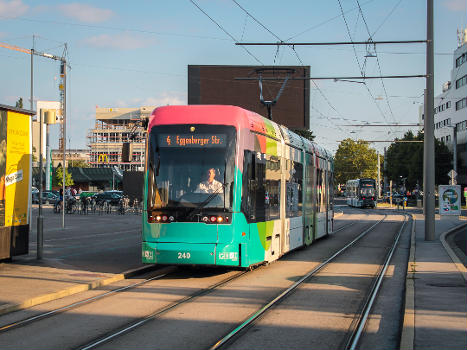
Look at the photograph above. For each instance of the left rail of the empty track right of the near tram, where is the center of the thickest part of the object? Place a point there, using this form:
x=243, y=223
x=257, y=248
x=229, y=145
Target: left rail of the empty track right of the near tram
x=281, y=296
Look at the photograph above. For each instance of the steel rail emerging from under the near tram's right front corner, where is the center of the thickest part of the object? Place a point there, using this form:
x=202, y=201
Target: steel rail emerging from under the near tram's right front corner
x=150, y=317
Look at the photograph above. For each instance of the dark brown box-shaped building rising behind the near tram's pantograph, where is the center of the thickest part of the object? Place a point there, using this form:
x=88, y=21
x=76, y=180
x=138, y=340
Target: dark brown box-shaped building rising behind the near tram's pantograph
x=221, y=85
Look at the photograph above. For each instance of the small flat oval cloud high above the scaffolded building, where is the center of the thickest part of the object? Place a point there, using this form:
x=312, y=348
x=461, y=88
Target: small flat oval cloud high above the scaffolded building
x=122, y=41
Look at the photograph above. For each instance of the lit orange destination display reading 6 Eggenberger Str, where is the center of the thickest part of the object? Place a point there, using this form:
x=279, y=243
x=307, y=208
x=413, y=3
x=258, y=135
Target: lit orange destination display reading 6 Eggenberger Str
x=192, y=140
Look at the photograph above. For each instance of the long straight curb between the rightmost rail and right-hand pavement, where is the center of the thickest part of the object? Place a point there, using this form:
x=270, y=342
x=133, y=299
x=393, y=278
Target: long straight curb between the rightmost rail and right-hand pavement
x=408, y=327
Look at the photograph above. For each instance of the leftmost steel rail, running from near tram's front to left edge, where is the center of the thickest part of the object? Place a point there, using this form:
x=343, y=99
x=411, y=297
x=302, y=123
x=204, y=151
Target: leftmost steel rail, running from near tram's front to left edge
x=41, y=316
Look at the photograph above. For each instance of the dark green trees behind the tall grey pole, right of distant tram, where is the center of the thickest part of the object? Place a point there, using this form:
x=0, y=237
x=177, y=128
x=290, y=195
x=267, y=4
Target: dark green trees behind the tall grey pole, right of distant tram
x=405, y=159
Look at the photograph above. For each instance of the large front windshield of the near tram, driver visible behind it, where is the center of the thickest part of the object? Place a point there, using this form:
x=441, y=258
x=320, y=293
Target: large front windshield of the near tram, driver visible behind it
x=191, y=166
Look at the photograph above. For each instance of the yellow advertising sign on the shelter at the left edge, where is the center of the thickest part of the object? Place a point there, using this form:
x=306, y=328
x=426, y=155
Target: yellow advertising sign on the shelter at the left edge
x=17, y=169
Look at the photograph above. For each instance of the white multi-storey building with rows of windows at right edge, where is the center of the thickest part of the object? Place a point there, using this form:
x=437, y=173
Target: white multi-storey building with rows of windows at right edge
x=450, y=114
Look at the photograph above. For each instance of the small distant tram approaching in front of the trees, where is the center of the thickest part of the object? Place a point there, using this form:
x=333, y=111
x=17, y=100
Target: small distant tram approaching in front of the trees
x=361, y=193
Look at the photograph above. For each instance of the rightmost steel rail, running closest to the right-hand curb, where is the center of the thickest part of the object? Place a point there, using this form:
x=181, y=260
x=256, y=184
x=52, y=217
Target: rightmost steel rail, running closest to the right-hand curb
x=357, y=333
